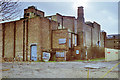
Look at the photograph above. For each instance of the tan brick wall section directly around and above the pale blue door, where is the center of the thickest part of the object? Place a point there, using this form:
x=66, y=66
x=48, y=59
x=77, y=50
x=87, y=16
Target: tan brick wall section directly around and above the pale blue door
x=34, y=34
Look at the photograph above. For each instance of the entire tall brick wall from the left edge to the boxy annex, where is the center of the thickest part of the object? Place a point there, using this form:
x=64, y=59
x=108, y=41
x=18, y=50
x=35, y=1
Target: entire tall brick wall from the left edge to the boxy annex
x=39, y=32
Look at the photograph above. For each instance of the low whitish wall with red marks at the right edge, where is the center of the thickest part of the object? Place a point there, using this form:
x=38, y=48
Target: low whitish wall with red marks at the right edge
x=112, y=54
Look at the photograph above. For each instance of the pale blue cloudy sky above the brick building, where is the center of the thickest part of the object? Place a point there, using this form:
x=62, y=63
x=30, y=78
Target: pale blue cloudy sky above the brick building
x=104, y=13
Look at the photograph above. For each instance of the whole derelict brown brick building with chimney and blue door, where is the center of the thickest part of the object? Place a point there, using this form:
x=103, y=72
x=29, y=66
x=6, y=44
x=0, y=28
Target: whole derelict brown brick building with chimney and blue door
x=61, y=36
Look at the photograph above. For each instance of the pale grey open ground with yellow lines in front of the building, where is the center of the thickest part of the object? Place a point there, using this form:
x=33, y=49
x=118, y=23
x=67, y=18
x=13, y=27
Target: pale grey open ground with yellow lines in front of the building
x=59, y=69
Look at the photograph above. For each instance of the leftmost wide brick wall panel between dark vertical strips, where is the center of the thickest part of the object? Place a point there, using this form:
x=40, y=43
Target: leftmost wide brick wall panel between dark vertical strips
x=9, y=40
